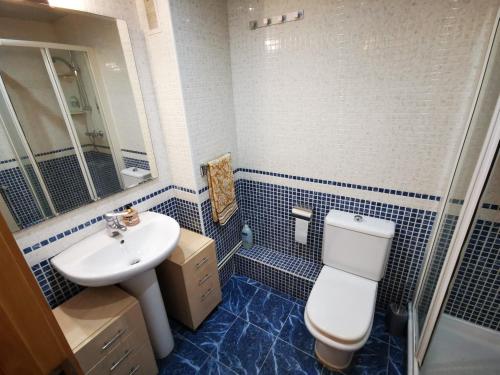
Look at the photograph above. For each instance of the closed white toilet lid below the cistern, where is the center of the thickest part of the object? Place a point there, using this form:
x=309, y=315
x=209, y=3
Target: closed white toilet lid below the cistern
x=341, y=305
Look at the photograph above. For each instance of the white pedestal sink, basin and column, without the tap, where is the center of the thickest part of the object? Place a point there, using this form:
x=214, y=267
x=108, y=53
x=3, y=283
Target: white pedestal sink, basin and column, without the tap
x=128, y=259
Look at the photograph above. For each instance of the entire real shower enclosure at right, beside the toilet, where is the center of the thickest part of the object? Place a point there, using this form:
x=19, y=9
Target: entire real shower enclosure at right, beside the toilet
x=455, y=317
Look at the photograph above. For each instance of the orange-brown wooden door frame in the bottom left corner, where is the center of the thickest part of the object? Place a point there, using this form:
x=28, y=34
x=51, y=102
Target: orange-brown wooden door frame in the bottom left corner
x=31, y=341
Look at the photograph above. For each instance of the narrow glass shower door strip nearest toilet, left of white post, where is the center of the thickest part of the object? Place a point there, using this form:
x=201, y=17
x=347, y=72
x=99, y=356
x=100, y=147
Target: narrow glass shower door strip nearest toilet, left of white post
x=457, y=202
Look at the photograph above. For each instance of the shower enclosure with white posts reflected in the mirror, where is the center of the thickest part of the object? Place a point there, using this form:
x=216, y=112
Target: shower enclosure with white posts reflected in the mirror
x=56, y=134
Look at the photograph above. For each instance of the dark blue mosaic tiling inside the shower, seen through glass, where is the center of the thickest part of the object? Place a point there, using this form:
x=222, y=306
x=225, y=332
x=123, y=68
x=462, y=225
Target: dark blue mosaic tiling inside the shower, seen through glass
x=474, y=291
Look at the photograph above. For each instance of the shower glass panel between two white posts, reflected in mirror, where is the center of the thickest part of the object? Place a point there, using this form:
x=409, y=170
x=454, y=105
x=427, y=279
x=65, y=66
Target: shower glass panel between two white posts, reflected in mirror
x=32, y=95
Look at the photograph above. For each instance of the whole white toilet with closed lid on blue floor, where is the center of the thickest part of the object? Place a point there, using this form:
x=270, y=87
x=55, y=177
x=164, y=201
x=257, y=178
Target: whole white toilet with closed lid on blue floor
x=340, y=309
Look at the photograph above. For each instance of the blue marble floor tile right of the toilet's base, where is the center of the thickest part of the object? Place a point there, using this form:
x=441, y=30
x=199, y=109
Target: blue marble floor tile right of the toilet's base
x=371, y=359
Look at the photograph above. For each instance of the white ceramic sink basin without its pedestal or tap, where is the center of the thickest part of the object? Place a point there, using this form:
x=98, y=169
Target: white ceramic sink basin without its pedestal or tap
x=100, y=260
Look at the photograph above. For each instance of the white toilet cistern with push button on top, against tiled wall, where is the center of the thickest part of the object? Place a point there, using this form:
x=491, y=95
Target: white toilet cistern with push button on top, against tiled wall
x=357, y=244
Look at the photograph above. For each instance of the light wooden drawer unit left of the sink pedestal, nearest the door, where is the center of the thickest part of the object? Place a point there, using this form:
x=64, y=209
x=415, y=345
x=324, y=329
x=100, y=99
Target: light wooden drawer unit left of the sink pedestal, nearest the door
x=106, y=331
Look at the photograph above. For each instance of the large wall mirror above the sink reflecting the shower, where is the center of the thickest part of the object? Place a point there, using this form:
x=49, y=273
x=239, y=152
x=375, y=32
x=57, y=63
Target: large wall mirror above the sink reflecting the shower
x=73, y=128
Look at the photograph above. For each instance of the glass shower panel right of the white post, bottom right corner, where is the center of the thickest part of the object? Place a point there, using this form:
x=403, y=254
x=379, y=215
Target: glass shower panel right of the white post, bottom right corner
x=466, y=339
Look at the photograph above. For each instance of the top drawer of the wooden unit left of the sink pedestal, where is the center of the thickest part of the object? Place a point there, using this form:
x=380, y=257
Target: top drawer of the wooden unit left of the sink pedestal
x=109, y=339
